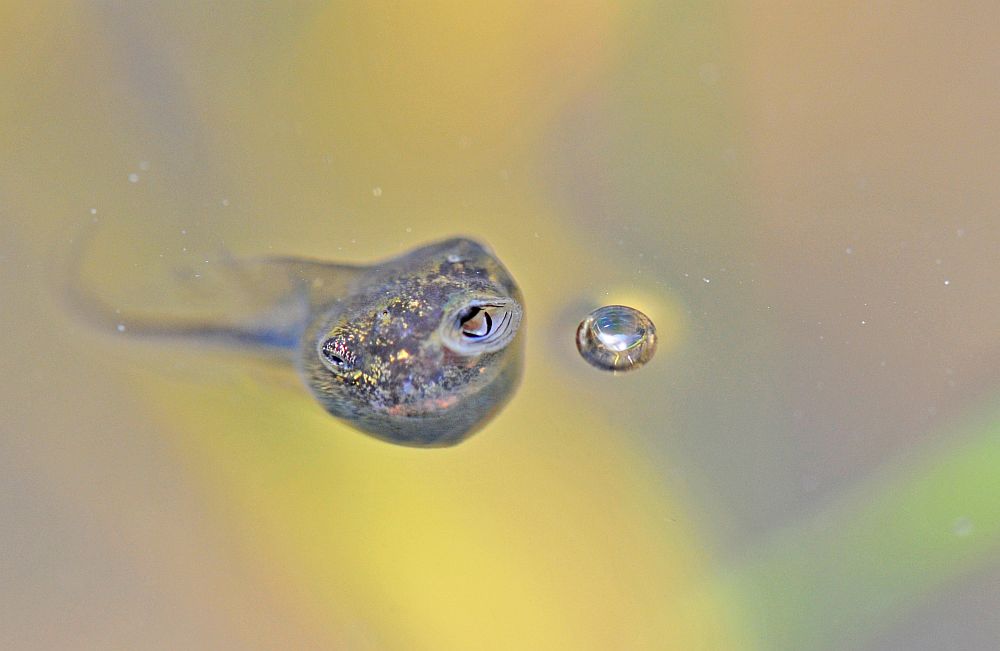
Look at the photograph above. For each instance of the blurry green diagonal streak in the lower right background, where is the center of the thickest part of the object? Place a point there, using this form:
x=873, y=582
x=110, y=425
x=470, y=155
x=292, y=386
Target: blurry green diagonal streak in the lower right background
x=832, y=580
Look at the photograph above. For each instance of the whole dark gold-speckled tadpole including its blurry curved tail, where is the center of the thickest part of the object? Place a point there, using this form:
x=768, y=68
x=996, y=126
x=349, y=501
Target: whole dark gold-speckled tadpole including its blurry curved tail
x=421, y=350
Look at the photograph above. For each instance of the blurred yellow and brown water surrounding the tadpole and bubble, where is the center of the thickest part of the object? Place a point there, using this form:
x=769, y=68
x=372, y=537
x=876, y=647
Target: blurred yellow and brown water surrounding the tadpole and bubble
x=801, y=200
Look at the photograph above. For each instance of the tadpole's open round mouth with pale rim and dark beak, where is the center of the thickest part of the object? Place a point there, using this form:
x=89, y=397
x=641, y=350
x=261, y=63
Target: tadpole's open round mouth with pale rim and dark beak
x=482, y=325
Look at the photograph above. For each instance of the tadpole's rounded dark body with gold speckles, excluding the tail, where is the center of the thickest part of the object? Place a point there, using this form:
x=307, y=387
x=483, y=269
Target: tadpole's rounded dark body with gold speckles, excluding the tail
x=391, y=356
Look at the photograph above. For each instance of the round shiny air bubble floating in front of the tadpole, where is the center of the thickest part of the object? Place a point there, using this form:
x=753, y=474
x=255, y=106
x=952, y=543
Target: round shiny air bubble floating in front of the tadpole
x=616, y=338
